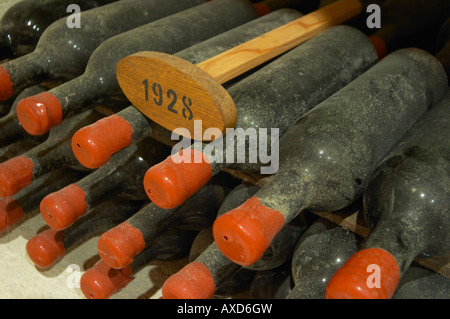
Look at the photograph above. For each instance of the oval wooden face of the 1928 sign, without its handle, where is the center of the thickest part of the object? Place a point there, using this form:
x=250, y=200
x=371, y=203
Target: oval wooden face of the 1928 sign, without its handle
x=174, y=92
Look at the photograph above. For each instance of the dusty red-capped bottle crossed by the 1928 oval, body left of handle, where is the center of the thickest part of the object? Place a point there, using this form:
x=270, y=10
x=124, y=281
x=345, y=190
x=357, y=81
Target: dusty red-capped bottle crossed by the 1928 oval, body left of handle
x=133, y=124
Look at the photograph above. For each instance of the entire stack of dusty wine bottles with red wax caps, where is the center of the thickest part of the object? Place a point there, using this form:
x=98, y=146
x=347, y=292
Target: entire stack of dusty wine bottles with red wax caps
x=356, y=204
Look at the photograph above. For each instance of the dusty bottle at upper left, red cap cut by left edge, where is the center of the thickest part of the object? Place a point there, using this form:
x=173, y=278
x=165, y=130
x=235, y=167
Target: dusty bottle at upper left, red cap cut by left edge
x=63, y=52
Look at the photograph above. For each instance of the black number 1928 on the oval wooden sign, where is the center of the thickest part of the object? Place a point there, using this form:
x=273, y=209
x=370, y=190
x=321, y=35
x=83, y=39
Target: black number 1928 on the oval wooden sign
x=172, y=96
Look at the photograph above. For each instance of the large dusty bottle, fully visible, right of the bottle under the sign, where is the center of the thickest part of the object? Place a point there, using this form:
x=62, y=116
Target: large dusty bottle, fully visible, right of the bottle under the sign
x=338, y=144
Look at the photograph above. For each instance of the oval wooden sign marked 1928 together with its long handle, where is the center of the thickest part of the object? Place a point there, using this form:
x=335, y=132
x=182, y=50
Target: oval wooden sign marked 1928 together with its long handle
x=175, y=93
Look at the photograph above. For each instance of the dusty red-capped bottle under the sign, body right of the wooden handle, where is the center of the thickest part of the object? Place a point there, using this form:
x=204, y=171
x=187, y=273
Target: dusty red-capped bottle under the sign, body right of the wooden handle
x=299, y=80
